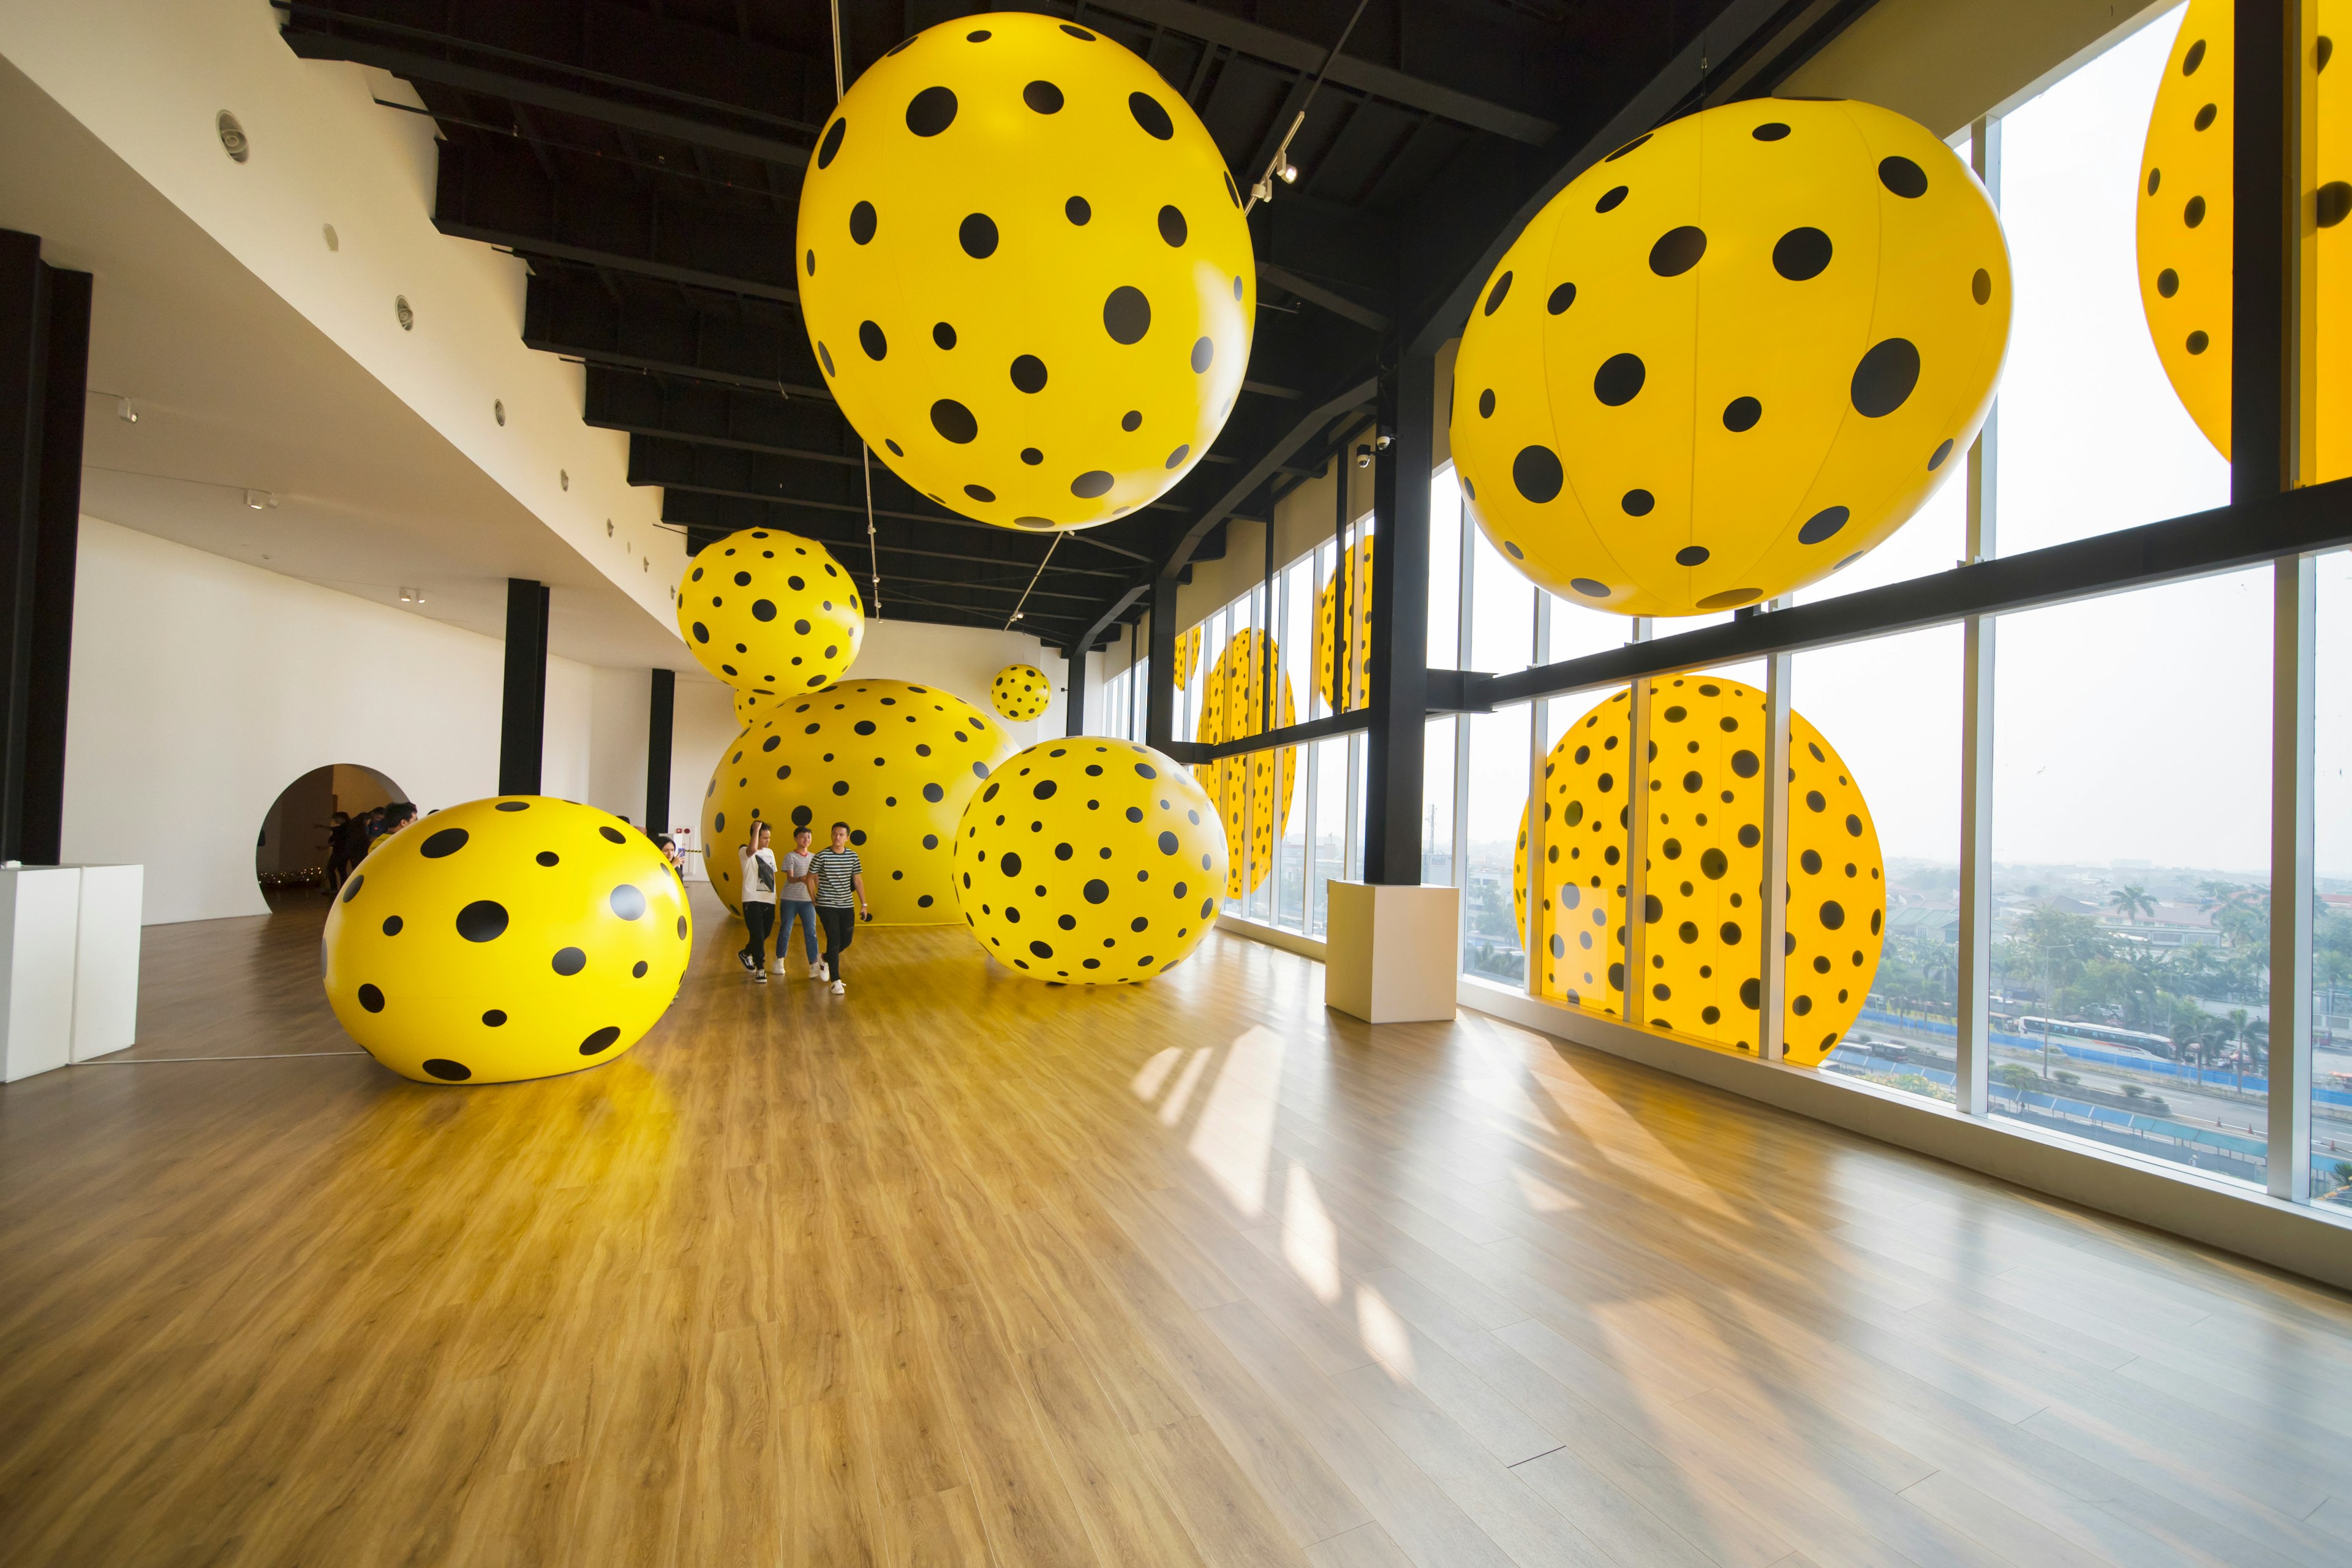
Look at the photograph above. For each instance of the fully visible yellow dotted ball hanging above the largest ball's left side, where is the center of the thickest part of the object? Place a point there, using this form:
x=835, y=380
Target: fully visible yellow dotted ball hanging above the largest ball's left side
x=770, y=612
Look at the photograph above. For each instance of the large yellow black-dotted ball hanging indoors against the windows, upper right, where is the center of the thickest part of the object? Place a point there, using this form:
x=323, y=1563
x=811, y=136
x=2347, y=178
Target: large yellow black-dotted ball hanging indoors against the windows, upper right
x=1732, y=356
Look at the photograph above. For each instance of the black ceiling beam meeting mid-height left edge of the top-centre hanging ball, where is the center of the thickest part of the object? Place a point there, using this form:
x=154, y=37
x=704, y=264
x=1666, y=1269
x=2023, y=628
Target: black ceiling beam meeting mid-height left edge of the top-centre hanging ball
x=495, y=192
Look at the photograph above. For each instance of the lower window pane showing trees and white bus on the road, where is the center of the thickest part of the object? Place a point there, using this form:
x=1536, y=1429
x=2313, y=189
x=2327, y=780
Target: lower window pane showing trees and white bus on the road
x=2130, y=843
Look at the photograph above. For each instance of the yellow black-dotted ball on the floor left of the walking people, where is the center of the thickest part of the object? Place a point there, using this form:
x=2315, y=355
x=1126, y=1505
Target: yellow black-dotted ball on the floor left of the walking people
x=507, y=939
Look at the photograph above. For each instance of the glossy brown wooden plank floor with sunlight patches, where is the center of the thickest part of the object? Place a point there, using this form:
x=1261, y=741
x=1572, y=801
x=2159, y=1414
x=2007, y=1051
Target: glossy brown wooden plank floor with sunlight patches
x=961, y=1268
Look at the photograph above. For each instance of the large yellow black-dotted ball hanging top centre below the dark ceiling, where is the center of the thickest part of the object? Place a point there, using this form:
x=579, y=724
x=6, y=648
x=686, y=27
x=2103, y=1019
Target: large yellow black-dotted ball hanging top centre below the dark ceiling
x=1027, y=272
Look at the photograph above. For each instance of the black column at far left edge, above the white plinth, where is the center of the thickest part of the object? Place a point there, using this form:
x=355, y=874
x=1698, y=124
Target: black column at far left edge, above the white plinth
x=44, y=368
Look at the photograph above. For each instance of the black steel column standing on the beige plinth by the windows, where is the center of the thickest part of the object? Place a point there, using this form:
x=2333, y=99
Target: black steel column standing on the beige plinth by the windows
x=1401, y=622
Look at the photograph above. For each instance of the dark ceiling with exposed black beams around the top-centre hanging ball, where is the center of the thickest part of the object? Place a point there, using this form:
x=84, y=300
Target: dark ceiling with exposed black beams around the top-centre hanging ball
x=646, y=156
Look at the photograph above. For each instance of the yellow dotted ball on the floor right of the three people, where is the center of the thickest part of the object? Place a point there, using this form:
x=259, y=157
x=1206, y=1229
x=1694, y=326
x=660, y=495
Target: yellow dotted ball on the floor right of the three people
x=1090, y=862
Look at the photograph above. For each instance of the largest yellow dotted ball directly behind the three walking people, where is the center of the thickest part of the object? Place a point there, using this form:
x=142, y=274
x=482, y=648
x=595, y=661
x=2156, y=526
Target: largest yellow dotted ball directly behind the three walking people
x=893, y=760
